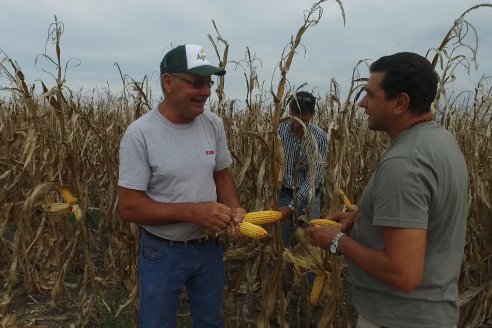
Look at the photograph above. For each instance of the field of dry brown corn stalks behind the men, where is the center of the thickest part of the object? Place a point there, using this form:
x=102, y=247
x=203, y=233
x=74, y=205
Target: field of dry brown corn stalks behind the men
x=67, y=260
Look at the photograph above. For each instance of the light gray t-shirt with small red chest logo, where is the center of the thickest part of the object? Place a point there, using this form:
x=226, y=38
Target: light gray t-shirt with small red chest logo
x=174, y=163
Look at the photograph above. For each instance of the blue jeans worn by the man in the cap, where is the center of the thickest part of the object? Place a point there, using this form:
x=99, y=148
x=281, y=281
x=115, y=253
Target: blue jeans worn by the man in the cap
x=165, y=267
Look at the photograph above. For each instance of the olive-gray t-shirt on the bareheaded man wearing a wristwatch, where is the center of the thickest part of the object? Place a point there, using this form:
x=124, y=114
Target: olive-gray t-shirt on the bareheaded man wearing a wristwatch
x=421, y=182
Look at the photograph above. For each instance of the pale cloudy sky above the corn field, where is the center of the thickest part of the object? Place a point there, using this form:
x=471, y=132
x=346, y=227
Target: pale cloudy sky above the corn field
x=137, y=34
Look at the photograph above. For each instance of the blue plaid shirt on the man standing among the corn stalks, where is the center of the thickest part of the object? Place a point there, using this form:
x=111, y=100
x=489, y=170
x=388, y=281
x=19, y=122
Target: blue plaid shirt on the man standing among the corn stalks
x=296, y=168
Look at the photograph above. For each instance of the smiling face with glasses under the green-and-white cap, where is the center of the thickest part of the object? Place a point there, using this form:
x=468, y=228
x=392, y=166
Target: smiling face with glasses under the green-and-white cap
x=186, y=95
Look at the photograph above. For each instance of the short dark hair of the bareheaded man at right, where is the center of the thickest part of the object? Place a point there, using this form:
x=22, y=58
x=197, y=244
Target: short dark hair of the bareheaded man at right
x=409, y=73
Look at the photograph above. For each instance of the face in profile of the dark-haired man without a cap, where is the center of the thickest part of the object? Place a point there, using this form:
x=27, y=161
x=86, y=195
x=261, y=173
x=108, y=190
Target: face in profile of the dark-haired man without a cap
x=378, y=109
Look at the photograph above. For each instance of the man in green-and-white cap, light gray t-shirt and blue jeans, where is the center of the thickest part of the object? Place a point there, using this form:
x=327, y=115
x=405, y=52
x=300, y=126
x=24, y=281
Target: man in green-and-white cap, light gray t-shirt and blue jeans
x=174, y=181
